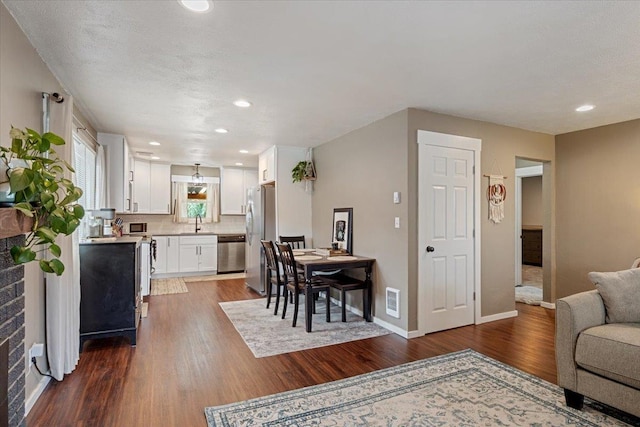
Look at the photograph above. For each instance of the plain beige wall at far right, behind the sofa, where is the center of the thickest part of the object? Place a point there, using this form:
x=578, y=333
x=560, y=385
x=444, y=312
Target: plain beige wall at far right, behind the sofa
x=598, y=203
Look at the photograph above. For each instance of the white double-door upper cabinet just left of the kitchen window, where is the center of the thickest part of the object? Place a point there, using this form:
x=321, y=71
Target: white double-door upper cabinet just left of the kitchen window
x=151, y=187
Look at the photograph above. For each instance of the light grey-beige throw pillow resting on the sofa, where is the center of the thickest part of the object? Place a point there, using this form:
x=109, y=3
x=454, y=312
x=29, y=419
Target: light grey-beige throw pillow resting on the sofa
x=620, y=293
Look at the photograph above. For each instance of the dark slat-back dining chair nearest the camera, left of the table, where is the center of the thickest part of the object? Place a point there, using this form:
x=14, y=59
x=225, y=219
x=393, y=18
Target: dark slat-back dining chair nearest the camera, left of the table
x=295, y=286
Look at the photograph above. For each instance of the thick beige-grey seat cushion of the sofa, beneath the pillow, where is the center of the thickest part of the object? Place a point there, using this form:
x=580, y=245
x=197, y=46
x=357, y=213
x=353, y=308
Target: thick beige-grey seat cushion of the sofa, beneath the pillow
x=611, y=351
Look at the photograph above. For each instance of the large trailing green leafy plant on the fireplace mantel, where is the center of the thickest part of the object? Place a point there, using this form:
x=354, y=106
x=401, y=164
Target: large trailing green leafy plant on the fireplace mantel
x=36, y=177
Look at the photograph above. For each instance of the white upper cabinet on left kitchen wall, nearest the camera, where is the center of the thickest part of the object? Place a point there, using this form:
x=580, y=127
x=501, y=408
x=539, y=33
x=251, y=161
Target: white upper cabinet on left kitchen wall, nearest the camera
x=119, y=171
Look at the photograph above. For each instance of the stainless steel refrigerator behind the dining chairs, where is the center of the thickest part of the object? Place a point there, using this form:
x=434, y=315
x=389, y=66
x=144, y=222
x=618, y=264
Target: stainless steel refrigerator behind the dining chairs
x=260, y=224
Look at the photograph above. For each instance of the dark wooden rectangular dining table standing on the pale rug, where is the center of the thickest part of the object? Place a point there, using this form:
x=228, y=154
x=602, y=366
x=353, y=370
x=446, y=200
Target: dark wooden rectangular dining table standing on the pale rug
x=321, y=263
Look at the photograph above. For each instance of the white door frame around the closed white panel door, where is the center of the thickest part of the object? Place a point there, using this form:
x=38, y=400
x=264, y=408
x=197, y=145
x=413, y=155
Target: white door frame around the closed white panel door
x=475, y=145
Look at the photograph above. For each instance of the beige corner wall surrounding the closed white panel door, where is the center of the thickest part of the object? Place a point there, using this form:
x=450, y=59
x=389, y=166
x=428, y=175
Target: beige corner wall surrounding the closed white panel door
x=362, y=170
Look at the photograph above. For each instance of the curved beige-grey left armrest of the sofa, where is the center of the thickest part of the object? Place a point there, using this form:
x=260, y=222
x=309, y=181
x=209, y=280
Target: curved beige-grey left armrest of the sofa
x=574, y=314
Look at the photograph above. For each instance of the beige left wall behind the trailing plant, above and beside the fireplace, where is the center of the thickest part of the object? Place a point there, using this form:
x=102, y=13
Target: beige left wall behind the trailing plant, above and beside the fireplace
x=23, y=78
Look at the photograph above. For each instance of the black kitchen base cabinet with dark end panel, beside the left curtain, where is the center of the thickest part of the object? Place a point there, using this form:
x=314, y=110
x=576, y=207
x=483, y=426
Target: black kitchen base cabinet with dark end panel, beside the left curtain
x=110, y=292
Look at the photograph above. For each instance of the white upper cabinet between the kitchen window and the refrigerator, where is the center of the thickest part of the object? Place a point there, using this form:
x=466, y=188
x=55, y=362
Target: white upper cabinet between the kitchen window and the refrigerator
x=233, y=192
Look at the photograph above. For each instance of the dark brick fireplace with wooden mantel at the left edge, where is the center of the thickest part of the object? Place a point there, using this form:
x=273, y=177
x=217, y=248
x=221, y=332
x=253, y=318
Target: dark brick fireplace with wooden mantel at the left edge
x=12, y=313
